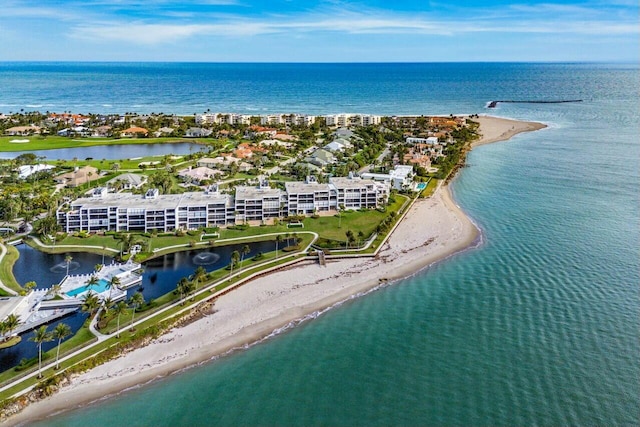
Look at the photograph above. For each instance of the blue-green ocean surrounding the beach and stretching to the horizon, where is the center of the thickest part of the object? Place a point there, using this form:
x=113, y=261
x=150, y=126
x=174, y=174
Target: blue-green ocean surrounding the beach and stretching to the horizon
x=537, y=326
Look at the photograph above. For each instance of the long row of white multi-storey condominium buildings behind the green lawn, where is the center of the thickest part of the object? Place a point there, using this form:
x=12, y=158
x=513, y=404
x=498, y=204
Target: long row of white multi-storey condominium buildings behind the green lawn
x=192, y=210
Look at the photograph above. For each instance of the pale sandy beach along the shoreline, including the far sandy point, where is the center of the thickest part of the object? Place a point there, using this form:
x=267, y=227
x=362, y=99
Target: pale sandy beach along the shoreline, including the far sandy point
x=432, y=230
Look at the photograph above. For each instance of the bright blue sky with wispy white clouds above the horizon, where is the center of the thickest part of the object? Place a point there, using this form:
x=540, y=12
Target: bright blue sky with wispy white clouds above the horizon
x=322, y=31
